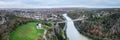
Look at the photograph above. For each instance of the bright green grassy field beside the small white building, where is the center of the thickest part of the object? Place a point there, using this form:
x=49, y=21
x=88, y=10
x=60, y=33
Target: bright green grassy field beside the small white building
x=26, y=32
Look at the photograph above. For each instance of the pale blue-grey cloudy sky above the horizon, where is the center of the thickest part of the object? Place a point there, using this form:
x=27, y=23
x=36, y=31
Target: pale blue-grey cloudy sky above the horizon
x=59, y=3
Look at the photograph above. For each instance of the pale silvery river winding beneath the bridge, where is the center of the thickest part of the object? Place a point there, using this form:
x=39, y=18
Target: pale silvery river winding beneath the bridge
x=71, y=31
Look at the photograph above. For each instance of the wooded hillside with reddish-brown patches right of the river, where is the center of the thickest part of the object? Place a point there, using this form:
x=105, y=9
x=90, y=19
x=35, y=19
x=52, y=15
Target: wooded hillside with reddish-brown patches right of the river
x=104, y=26
